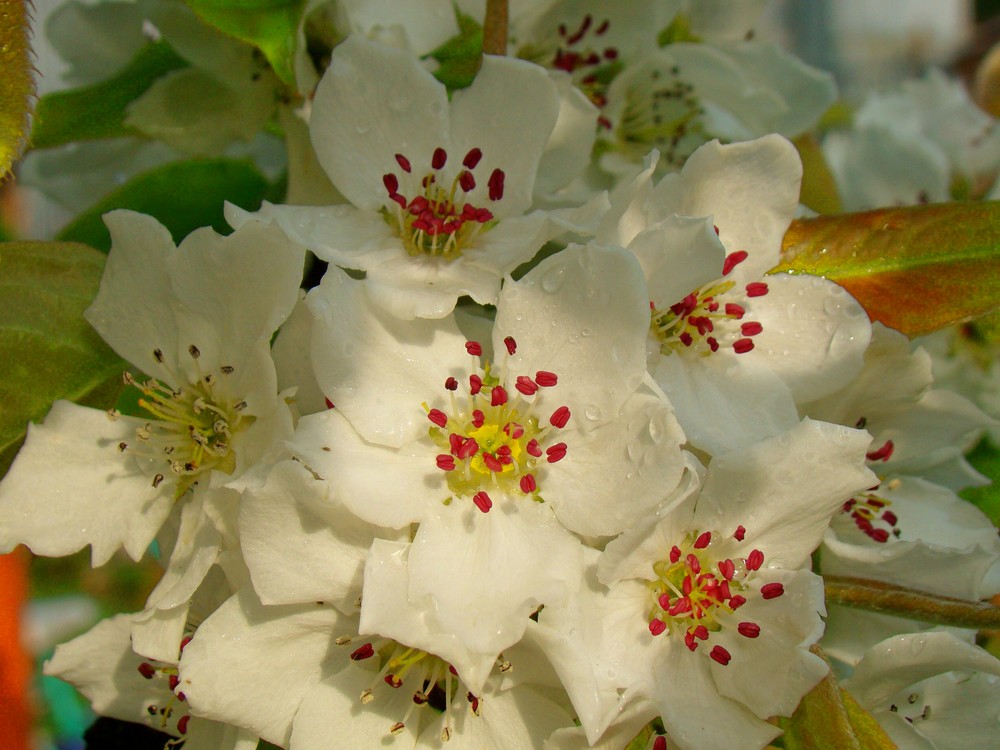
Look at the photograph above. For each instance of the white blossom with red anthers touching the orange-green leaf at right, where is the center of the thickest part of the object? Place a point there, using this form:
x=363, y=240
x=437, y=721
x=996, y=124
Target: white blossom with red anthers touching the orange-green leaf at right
x=733, y=349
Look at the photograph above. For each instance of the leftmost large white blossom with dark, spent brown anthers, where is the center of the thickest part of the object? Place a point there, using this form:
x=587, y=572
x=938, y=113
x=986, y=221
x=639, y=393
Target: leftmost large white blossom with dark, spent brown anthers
x=197, y=320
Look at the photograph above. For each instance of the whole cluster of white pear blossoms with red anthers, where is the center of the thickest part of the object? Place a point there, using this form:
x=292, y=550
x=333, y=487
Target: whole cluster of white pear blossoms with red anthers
x=545, y=456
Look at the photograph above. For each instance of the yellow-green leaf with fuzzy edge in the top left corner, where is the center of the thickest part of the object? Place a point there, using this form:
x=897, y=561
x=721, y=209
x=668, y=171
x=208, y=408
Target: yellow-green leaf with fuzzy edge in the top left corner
x=17, y=85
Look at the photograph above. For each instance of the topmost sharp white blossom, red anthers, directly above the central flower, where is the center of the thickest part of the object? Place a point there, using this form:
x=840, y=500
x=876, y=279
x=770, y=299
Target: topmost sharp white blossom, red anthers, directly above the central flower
x=437, y=188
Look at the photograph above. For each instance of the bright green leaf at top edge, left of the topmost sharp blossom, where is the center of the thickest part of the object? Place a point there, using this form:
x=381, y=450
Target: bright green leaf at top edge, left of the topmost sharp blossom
x=269, y=25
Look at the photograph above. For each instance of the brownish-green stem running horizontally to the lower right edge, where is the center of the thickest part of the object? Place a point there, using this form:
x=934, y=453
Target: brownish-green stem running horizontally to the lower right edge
x=885, y=598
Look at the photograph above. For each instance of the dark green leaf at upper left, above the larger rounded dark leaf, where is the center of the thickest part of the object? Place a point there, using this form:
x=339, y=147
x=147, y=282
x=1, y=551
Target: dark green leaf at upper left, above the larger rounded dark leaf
x=98, y=111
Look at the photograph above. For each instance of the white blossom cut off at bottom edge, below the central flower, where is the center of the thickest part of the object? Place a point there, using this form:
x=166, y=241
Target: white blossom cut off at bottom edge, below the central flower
x=304, y=678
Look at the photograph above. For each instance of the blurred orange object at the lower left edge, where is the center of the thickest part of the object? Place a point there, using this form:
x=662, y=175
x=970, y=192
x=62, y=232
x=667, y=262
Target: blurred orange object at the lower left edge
x=15, y=664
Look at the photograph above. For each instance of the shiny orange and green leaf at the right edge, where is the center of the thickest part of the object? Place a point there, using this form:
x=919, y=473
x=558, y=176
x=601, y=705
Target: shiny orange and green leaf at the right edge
x=916, y=268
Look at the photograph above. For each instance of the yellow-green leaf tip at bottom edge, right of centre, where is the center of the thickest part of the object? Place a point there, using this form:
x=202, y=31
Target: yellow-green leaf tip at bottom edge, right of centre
x=827, y=717
